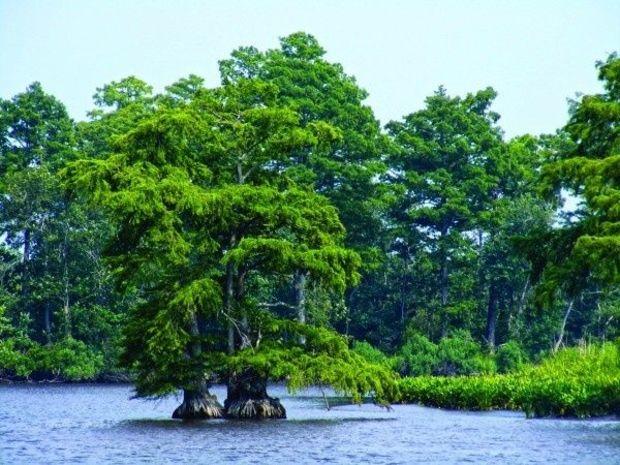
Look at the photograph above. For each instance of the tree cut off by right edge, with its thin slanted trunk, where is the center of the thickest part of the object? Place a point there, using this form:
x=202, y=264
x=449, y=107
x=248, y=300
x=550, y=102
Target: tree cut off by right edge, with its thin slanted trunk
x=581, y=257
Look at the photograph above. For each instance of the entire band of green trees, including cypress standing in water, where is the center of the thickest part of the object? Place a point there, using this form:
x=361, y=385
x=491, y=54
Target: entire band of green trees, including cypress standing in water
x=269, y=228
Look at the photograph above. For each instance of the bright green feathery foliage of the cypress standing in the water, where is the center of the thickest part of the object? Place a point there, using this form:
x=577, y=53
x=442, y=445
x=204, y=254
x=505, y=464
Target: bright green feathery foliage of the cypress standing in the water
x=204, y=214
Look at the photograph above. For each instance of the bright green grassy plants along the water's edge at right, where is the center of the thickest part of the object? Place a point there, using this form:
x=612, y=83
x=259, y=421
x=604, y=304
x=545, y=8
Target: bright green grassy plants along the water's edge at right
x=576, y=382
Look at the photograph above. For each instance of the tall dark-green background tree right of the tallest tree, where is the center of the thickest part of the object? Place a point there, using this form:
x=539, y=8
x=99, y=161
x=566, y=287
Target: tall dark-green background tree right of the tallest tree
x=445, y=173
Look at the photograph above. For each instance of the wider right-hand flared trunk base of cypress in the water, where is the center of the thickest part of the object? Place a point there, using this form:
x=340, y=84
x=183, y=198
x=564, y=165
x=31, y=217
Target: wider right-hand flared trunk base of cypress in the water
x=247, y=398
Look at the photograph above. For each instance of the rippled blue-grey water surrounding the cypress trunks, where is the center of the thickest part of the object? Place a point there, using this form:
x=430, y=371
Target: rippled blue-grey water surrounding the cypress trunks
x=99, y=424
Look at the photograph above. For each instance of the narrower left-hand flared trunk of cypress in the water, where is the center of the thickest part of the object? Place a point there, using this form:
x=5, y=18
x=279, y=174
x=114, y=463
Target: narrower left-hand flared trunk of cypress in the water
x=198, y=403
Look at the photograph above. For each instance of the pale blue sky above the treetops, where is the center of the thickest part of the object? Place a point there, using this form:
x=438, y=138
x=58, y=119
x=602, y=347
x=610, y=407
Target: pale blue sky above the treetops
x=535, y=53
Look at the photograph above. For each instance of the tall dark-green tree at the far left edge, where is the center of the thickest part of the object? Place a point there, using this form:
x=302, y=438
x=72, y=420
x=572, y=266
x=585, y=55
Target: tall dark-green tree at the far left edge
x=36, y=138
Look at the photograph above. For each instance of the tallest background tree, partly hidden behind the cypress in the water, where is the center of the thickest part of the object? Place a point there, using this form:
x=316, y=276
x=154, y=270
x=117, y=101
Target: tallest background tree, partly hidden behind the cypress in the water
x=347, y=170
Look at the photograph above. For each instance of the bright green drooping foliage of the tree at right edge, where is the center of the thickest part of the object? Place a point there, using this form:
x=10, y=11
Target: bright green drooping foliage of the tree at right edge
x=589, y=169
